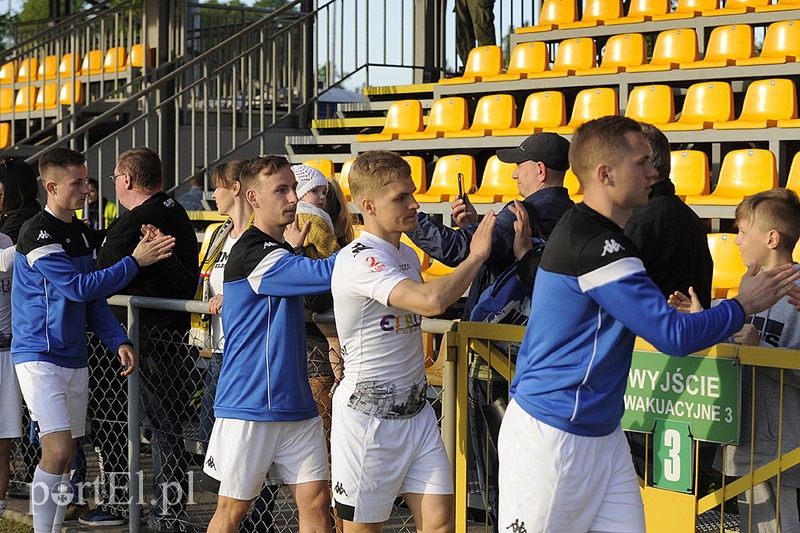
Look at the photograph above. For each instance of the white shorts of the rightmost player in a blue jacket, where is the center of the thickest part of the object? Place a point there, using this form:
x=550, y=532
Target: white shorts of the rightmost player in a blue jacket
x=551, y=480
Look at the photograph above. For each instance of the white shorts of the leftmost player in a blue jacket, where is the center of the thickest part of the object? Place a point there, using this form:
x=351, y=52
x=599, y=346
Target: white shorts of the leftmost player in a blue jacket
x=56, y=396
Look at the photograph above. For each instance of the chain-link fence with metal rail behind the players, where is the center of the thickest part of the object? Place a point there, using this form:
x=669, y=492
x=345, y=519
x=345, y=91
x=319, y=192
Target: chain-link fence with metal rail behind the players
x=157, y=463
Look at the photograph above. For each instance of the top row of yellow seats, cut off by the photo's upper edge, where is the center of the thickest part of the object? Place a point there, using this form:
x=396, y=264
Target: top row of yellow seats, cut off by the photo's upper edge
x=562, y=14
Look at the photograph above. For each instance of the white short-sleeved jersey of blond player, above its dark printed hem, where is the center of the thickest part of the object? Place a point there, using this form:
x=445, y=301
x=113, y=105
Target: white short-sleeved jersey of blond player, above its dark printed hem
x=380, y=344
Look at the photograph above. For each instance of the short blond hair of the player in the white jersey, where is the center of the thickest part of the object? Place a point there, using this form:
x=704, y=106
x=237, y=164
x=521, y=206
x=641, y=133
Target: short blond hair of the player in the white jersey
x=372, y=171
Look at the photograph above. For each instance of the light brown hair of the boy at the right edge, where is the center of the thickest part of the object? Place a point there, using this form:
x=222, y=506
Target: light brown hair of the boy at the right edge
x=775, y=209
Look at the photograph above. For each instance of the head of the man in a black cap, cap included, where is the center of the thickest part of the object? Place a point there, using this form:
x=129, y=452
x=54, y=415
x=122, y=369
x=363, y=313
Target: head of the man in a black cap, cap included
x=542, y=160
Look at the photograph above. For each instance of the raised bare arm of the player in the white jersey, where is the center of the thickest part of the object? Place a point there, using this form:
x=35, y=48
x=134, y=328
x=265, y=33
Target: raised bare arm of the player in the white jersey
x=431, y=299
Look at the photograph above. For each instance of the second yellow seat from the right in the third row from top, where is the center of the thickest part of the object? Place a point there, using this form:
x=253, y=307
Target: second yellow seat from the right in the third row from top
x=705, y=103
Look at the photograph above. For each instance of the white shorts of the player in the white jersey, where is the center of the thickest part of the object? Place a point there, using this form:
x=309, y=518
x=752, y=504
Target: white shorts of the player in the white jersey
x=374, y=460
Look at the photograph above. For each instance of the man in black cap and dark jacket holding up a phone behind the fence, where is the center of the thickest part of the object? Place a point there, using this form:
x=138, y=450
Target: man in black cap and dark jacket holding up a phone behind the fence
x=542, y=159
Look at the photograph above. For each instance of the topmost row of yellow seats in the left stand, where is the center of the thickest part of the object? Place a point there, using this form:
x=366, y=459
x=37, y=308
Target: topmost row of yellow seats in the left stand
x=94, y=62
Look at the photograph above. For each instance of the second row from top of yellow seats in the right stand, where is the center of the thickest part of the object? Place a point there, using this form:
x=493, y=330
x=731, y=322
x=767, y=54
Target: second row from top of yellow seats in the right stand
x=674, y=49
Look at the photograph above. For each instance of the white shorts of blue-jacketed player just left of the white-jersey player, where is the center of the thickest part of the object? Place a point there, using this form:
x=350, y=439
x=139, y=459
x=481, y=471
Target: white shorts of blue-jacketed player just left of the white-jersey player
x=242, y=452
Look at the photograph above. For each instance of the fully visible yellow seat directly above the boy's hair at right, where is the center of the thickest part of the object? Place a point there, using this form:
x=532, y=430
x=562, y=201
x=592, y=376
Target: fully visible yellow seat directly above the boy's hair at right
x=743, y=173
